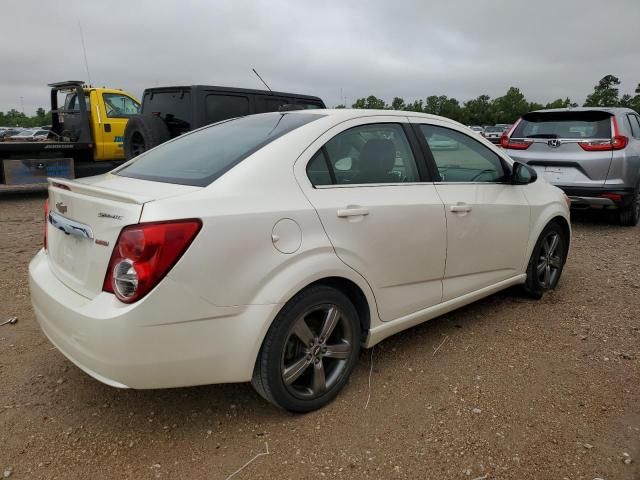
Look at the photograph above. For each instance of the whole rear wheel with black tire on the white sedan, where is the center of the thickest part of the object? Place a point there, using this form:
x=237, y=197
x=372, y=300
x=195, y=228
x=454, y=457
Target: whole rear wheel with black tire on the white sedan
x=299, y=367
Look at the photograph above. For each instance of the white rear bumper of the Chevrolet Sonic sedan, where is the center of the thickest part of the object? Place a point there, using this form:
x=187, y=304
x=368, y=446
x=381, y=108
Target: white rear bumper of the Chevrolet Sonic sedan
x=171, y=338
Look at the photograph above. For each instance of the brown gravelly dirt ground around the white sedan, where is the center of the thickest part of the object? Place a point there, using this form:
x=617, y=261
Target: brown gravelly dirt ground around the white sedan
x=507, y=388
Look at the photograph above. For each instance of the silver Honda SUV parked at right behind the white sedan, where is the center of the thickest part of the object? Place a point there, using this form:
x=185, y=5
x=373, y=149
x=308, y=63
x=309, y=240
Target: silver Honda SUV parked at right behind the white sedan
x=593, y=154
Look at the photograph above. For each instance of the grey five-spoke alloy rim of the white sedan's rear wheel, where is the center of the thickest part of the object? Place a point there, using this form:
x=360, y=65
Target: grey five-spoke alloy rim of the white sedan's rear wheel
x=316, y=351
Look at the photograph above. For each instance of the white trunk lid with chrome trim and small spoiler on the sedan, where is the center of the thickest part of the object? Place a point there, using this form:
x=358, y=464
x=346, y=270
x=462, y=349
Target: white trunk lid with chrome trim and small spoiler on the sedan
x=85, y=219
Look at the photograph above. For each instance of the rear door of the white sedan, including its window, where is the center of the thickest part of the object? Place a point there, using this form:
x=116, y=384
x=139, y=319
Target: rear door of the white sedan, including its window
x=380, y=210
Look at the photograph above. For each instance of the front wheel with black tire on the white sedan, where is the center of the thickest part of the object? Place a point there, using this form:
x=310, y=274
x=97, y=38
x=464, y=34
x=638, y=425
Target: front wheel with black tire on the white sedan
x=547, y=261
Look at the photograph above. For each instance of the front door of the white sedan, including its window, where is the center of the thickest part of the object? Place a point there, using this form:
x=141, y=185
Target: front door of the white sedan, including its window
x=487, y=217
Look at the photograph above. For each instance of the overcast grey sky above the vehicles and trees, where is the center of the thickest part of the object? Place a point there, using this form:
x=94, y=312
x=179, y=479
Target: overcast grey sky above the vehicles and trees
x=334, y=49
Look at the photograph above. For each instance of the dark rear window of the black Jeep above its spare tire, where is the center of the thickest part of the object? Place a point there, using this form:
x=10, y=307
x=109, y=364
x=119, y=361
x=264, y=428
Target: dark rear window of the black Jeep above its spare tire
x=172, y=106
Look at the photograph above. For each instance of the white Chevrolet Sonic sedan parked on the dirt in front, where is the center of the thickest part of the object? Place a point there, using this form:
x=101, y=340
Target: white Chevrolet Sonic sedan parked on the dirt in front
x=270, y=248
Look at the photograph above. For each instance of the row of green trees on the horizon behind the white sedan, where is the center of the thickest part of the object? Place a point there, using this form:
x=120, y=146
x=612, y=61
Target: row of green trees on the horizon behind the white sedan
x=484, y=110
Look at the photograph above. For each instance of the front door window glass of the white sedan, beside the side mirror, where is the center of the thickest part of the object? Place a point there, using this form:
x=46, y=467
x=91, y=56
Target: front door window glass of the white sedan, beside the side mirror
x=460, y=158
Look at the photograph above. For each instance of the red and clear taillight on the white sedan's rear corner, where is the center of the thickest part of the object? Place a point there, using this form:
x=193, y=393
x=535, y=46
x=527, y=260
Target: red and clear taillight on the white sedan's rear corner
x=144, y=254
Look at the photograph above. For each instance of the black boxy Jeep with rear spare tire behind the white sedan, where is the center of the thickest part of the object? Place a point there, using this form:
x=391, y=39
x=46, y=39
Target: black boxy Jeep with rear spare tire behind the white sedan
x=171, y=111
